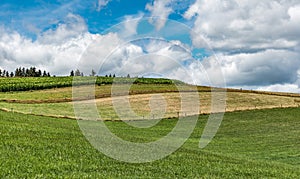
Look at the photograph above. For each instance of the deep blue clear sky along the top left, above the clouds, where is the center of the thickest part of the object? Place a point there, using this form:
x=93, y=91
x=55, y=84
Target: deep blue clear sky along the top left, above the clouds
x=31, y=17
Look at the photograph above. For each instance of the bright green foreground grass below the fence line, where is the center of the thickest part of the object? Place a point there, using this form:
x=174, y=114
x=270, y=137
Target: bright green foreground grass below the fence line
x=252, y=144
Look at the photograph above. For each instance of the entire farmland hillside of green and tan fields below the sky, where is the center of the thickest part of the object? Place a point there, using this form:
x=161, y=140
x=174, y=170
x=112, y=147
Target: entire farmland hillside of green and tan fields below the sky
x=258, y=138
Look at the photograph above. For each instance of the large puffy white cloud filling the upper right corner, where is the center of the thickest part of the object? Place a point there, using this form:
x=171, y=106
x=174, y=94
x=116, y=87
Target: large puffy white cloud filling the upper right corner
x=246, y=25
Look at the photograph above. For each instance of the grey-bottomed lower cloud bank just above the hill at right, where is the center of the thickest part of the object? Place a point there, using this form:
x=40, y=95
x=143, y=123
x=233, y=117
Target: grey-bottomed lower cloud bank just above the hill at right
x=262, y=70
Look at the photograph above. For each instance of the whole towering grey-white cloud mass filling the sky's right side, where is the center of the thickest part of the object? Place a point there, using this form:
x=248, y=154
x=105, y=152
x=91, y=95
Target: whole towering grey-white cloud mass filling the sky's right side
x=256, y=41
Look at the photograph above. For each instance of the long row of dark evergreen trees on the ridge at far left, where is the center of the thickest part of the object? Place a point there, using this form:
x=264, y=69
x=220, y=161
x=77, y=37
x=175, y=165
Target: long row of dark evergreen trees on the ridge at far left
x=25, y=72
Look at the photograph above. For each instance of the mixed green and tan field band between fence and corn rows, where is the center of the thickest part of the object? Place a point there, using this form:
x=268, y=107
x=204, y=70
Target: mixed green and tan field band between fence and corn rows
x=58, y=102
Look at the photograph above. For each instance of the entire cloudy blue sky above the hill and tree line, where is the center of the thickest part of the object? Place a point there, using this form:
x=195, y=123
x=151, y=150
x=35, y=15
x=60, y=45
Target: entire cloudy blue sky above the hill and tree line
x=249, y=44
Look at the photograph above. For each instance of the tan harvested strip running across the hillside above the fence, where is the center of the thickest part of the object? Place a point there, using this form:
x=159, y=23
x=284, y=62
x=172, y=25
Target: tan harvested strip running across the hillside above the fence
x=141, y=105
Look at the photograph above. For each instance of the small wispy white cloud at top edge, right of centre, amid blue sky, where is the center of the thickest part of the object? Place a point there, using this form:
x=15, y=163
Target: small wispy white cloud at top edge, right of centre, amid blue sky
x=160, y=11
